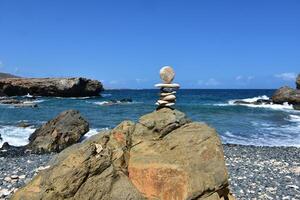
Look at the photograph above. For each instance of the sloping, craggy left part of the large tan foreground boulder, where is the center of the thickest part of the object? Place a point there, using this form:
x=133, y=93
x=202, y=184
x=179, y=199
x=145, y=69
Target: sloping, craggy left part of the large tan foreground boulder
x=80, y=172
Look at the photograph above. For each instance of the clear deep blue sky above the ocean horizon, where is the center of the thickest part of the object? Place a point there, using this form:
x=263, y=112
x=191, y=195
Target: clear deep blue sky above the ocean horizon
x=211, y=44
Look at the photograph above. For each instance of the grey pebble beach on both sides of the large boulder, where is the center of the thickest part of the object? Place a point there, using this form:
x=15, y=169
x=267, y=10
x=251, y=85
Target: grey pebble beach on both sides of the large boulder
x=255, y=172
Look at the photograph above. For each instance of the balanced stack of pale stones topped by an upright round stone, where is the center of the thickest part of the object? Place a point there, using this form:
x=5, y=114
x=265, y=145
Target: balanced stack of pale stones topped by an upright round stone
x=167, y=88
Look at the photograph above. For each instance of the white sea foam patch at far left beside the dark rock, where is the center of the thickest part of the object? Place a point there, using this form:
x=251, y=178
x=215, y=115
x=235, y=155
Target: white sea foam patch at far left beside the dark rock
x=16, y=136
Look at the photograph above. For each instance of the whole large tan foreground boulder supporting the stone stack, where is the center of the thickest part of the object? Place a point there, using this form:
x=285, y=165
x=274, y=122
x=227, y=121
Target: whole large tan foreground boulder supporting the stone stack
x=163, y=156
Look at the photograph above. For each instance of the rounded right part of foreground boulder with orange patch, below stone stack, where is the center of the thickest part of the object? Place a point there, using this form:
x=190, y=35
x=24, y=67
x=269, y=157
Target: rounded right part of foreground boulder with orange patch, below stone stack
x=187, y=162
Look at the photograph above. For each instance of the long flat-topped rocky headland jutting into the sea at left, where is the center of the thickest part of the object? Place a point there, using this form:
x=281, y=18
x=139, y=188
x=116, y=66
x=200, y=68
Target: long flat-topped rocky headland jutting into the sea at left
x=63, y=87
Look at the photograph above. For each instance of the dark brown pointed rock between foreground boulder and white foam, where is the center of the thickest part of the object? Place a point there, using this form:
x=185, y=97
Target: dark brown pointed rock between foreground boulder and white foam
x=57, y=134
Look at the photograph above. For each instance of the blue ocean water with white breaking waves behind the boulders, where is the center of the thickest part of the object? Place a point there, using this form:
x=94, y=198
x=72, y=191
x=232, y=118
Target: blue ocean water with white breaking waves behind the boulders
x=261, y=125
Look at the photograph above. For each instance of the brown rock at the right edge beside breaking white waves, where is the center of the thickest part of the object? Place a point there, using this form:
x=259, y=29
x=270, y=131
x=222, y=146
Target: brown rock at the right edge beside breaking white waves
x=286, y=94
